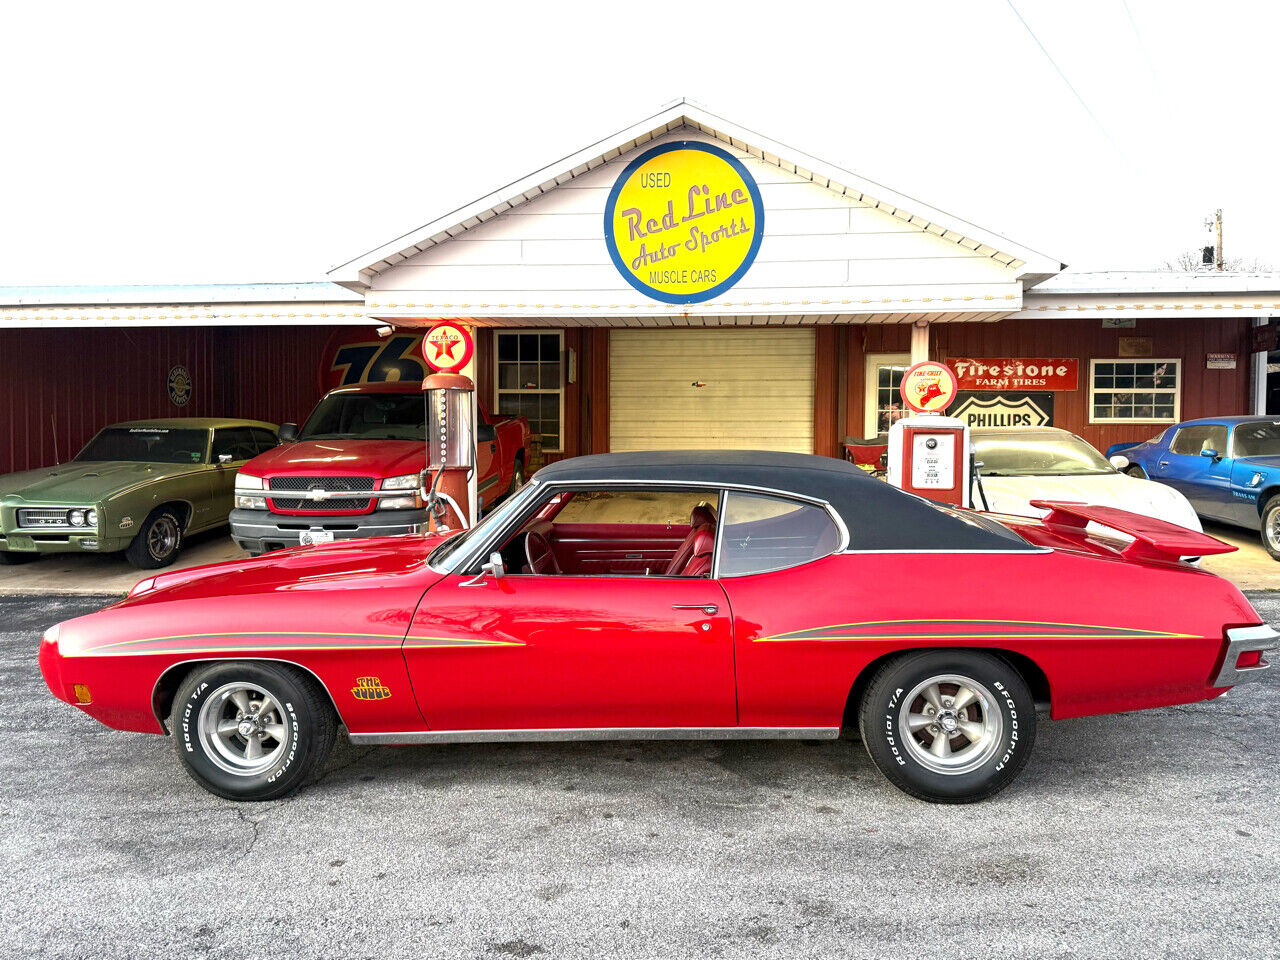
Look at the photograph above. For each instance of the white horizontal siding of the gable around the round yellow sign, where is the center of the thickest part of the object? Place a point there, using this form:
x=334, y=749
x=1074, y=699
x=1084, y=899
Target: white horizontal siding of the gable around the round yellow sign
x=819, y=245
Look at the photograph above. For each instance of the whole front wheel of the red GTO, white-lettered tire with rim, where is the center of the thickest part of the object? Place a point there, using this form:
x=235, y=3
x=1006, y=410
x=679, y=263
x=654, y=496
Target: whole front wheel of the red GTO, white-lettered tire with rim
x=294, y=739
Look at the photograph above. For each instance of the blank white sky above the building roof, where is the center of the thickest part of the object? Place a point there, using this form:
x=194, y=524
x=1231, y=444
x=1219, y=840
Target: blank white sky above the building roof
x=236, y=143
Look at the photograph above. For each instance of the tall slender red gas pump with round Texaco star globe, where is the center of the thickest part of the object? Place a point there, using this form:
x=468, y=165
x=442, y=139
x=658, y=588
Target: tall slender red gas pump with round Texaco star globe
x=451, y=418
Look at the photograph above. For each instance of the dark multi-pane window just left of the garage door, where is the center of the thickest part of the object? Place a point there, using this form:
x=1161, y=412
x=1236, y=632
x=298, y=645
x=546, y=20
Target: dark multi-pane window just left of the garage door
x=529, y=381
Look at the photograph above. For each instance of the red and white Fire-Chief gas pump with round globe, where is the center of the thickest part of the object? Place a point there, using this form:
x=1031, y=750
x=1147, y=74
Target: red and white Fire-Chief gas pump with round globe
x=930, y=455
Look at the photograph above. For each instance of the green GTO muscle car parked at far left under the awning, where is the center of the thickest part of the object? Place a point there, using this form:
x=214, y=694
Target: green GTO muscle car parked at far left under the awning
x=139, y=487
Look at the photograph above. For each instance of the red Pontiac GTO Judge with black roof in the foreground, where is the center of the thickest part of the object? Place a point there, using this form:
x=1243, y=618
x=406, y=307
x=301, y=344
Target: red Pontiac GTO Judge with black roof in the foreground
x=682, y=595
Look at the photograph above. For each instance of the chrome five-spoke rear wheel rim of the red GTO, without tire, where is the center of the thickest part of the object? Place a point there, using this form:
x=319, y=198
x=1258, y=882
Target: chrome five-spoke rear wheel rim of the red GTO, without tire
x=952, y=724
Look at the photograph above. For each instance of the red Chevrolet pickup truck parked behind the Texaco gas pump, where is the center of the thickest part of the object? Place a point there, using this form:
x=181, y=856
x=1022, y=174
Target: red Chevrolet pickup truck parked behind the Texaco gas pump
x=354, y=470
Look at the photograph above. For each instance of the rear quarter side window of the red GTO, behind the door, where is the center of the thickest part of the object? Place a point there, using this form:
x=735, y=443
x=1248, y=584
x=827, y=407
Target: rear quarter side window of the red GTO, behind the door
x=769, y=533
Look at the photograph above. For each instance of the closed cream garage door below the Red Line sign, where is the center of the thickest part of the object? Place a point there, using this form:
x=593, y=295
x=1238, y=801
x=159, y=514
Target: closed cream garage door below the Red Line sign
x=723, y=388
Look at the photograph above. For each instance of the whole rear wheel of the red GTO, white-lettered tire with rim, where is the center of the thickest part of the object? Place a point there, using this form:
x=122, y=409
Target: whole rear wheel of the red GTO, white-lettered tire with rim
x=971, y=770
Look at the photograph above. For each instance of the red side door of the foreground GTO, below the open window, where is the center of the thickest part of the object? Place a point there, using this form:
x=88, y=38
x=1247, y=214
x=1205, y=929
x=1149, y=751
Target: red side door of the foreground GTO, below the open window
x=579, y=652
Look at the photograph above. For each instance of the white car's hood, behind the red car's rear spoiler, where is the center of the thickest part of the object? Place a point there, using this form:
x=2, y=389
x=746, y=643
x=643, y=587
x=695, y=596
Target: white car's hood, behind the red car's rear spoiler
x=1013, y=495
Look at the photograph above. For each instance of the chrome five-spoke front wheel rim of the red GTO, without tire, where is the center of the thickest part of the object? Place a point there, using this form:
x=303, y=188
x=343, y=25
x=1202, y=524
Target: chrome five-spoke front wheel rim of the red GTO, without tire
x=243, y=729
